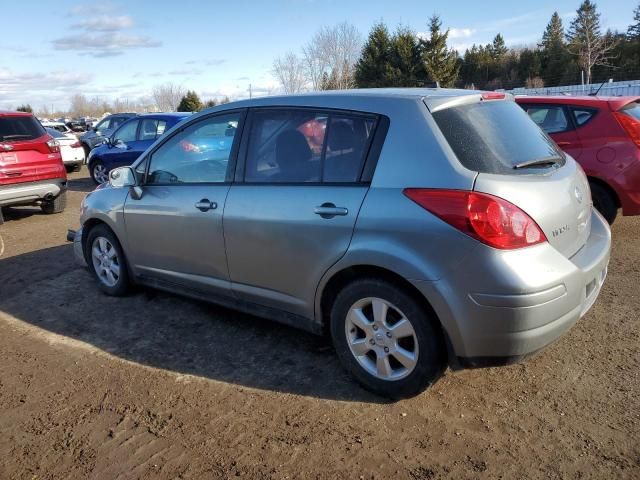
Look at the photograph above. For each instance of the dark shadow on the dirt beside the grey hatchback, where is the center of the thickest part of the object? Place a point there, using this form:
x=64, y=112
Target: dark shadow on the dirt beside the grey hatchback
x=171, y=333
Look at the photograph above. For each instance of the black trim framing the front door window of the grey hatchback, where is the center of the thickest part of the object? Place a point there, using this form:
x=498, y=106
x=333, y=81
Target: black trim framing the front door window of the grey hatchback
x=233, y=155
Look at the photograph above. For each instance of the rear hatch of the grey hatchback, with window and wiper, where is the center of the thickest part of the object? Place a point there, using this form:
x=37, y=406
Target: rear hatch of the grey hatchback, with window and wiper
x=518, y=162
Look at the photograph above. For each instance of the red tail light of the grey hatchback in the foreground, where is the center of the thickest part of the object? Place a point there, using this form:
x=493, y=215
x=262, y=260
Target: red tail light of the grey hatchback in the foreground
x=491, y=220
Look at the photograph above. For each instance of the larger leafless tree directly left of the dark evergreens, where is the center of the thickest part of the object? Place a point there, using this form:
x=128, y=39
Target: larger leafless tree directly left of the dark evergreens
x=331, y=55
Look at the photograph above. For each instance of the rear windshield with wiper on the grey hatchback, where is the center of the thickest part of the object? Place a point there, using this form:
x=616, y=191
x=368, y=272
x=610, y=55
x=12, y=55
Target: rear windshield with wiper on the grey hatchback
x=497, y=137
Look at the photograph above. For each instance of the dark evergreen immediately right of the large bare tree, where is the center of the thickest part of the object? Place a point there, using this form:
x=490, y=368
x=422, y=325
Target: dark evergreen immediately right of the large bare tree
x=372, y=69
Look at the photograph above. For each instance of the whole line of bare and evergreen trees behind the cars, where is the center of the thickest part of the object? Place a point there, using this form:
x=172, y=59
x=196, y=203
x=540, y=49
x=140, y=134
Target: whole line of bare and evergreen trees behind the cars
x=580, y=52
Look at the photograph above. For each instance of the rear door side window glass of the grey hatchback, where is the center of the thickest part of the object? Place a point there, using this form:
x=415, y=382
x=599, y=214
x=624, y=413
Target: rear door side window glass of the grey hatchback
x=307, y=146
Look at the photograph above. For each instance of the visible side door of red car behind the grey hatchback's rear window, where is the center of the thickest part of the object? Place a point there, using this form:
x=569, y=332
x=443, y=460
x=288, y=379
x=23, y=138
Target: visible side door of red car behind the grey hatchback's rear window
x=556, y=121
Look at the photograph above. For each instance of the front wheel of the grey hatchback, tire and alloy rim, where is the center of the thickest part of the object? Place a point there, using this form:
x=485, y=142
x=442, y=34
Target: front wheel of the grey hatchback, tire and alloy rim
x=106, y=261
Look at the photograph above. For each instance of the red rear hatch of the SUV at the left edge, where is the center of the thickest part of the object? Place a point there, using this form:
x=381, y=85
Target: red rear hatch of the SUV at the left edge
x=25, y=155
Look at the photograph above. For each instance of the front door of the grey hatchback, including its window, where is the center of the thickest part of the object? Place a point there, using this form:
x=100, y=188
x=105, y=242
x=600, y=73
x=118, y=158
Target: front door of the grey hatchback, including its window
x=174, y=231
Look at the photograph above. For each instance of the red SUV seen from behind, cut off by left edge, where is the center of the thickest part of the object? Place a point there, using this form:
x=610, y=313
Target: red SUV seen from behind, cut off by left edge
x=31, y=168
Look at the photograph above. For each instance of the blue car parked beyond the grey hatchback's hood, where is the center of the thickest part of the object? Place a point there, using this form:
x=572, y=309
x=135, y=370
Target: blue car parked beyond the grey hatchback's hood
x=129, y=141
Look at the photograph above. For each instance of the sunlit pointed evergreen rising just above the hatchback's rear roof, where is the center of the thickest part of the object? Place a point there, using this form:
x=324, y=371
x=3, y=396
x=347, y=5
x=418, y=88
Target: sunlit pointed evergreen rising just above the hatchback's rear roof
x=440, y=63
